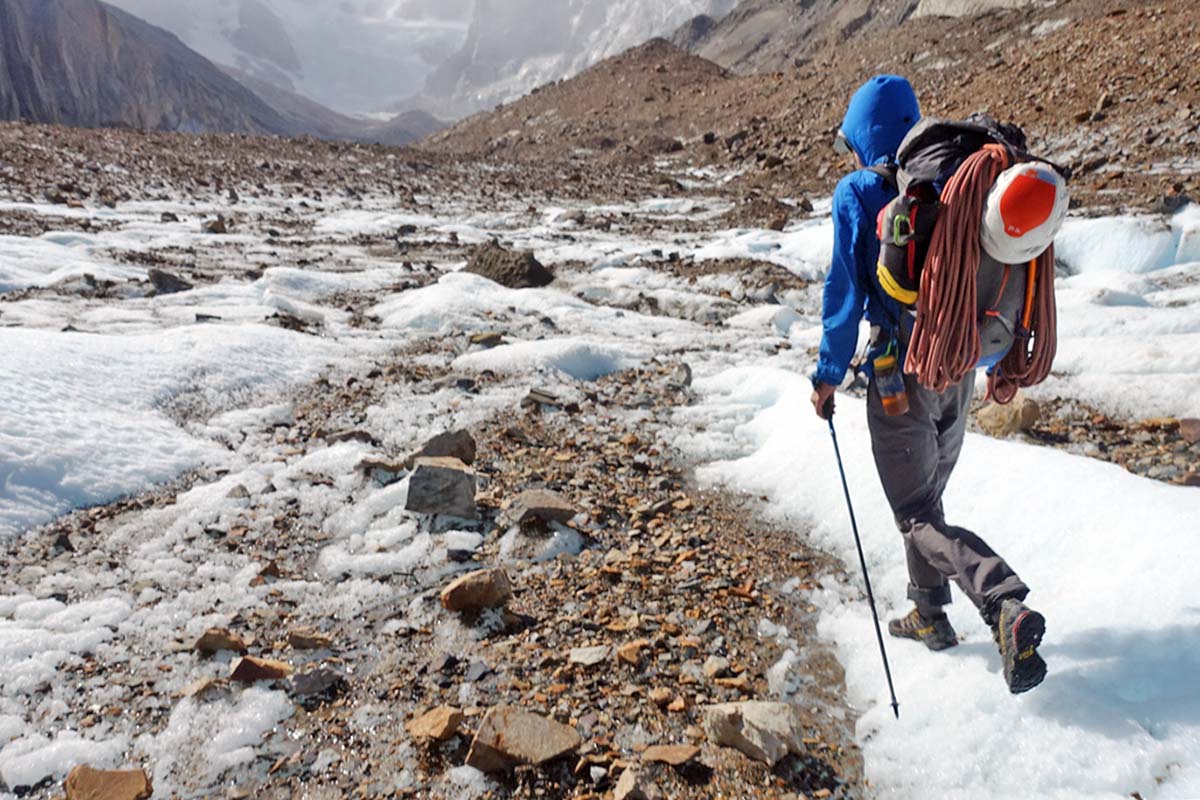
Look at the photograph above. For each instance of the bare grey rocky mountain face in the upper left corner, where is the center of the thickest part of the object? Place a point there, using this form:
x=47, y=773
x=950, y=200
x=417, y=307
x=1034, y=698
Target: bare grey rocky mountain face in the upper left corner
x=88, y=64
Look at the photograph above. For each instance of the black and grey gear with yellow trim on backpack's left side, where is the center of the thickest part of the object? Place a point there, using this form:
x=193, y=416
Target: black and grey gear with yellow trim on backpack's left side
x=905, y=228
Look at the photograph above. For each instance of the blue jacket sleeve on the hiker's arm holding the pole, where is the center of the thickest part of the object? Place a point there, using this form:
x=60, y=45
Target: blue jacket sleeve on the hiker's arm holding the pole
x=844, y=292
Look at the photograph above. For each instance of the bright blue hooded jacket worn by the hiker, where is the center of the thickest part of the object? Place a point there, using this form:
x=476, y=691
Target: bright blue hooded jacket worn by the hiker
x=880, y=116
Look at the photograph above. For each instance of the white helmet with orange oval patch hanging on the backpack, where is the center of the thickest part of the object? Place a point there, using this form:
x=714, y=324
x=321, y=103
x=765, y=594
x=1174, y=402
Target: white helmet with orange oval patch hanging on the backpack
x=1024, y=213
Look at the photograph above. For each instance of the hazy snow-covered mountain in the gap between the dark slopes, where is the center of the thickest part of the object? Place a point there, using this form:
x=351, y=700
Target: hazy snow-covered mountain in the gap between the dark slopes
x=449, y=57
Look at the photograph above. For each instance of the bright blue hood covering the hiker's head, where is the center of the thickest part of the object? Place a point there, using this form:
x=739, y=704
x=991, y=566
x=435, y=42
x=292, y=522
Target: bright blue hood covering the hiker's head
x=881, y=113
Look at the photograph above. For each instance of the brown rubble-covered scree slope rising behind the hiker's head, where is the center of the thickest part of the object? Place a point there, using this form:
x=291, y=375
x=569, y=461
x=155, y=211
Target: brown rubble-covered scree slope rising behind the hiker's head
x=1103, y=87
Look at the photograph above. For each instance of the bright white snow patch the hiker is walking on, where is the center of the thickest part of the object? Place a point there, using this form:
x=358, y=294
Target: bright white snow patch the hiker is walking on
x=1100, y=548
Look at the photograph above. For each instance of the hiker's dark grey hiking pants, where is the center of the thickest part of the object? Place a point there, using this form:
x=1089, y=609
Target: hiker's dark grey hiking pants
x=915, y=455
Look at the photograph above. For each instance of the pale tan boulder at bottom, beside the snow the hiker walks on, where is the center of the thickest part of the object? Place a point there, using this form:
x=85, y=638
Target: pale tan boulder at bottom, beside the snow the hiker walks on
x=763, y=731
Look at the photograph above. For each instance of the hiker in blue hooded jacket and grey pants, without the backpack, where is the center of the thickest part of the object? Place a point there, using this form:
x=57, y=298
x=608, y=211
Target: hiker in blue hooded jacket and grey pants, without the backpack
x=915, y=447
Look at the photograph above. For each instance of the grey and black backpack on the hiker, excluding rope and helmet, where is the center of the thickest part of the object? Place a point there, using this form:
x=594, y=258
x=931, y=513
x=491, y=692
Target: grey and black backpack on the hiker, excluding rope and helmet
x=927, y=159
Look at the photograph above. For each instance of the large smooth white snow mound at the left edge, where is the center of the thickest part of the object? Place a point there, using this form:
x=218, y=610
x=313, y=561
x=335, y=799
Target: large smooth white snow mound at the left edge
x=91, y=418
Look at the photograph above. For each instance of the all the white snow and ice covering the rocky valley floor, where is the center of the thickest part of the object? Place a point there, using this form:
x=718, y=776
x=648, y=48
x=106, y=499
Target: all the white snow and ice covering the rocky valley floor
x=94, y=414
